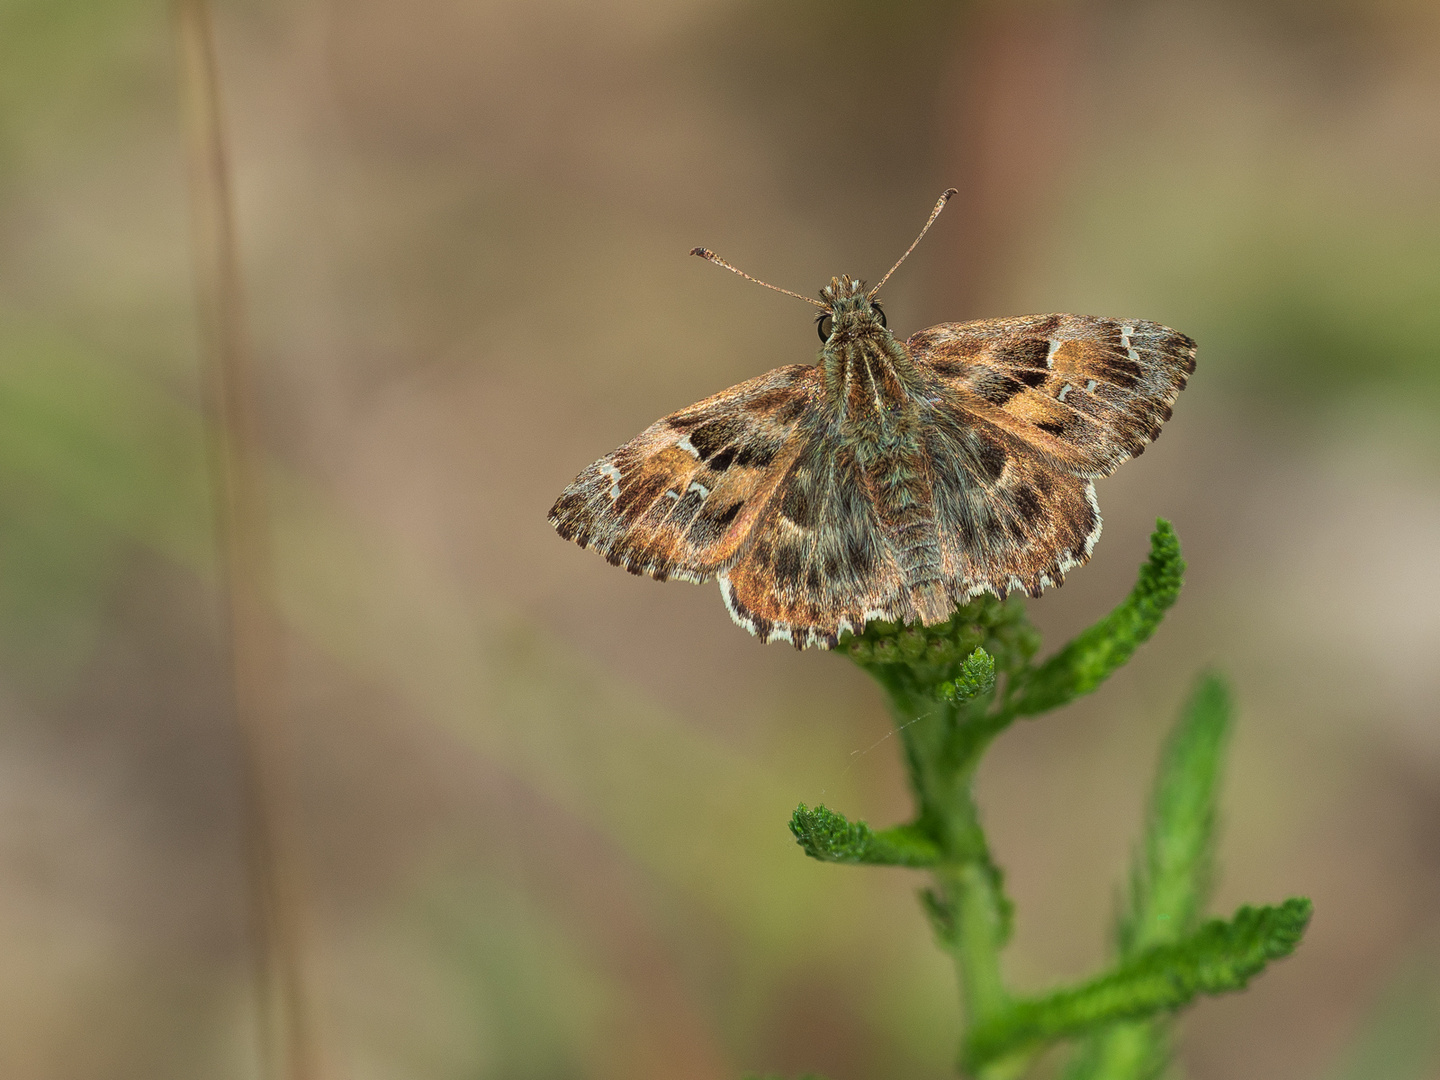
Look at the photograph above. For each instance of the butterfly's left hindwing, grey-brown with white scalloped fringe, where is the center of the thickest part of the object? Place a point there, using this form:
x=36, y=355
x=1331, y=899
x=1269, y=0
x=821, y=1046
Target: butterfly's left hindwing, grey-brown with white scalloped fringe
x=819, y=562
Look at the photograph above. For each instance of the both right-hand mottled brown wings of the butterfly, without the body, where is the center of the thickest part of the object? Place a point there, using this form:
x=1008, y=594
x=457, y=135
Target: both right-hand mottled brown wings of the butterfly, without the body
x=1025, y=413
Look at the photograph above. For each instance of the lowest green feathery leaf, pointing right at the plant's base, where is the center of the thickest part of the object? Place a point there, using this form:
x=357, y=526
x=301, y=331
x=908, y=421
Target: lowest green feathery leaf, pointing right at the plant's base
x=1219, y=958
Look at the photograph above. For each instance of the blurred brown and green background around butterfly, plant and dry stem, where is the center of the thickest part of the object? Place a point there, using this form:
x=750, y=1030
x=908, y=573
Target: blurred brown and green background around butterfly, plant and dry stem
x=544, y=804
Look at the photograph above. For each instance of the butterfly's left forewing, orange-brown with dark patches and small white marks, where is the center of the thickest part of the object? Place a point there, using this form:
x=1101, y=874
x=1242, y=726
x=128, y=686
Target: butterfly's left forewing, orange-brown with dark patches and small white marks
x=680, y=499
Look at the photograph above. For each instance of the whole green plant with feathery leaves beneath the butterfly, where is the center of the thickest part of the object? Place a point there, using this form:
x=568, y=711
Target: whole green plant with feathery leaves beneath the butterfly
x=953, y=689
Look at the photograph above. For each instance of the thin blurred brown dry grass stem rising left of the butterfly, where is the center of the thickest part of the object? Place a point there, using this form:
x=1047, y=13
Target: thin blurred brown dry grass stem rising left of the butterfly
x=287, y=1042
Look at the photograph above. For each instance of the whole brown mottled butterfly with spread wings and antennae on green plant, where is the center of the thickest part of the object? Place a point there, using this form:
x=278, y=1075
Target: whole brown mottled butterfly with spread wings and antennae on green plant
x=888, y=480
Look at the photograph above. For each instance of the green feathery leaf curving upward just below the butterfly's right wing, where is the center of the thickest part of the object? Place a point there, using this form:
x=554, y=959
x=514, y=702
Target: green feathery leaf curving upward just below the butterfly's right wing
x=1092, y=657
